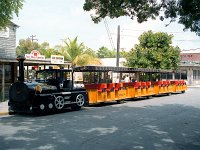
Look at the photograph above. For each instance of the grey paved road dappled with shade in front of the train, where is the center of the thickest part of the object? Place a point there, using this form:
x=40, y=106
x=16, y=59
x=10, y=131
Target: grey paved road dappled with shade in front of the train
x=169, y=122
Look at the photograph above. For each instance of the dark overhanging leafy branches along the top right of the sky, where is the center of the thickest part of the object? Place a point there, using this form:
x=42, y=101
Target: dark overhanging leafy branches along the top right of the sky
x=187, y=12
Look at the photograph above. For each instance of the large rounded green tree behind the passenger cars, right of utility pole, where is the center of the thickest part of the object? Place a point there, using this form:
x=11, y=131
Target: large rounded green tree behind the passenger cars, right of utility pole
x=154, y=51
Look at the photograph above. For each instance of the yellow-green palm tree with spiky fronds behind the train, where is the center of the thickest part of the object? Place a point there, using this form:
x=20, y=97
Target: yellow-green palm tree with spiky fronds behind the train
x=76, y=53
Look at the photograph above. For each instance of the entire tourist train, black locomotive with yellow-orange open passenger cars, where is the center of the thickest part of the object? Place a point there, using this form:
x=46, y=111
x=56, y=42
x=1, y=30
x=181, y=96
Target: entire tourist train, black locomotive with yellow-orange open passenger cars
x=57, y=89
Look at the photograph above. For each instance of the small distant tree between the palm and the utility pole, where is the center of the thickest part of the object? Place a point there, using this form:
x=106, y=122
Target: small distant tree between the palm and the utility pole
x=104, y=52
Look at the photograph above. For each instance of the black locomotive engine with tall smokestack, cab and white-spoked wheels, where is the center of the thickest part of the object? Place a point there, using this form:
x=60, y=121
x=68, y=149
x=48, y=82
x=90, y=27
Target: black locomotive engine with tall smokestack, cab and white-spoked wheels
x=46, y=95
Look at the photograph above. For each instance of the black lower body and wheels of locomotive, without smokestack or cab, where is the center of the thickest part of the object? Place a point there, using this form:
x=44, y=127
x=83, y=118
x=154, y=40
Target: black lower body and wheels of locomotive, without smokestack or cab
x=24, y=98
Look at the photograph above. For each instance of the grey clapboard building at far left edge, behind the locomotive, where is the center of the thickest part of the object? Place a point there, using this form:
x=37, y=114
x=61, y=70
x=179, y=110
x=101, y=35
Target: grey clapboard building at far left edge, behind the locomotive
x=8, y=63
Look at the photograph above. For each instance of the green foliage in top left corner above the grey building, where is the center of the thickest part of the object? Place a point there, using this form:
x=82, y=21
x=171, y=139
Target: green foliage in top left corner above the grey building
x=7, y=9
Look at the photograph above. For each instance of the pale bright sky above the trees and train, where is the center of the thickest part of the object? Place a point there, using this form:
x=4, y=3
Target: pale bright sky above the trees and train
x=53, y=21
